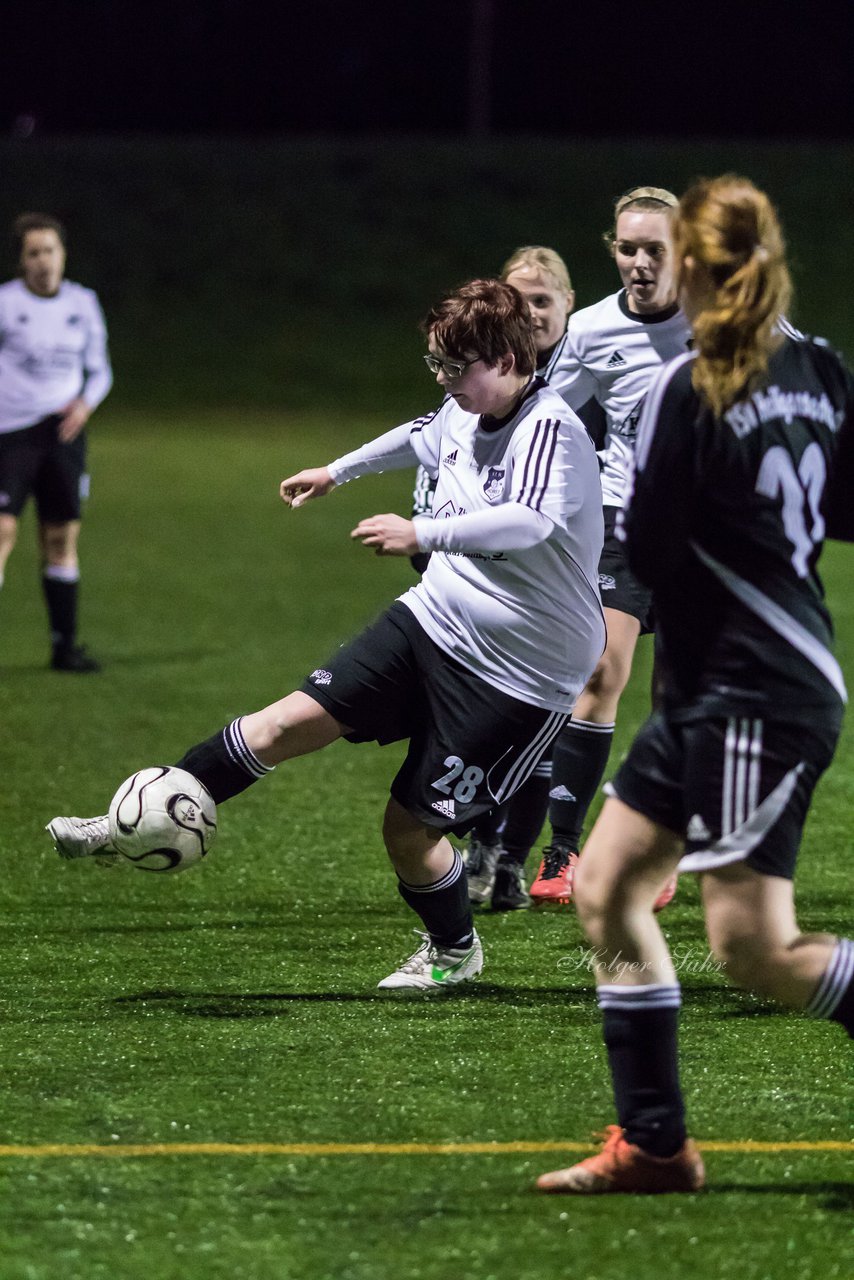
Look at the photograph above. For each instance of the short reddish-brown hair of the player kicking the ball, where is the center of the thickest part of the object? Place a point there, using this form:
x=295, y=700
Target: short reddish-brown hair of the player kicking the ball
x=487, y=319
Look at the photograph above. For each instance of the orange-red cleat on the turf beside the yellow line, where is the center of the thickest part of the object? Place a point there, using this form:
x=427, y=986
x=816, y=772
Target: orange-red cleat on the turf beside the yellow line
x=622, y=1167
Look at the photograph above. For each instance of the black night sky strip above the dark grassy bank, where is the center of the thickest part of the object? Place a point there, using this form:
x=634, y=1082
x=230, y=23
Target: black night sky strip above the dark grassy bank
x=756, y=68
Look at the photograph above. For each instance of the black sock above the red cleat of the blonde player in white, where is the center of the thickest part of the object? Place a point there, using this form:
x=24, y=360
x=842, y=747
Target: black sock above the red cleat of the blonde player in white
x=578, y=765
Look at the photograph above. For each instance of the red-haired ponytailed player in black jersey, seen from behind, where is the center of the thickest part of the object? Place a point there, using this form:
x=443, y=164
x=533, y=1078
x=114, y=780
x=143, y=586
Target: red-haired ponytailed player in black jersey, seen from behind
x=745, y=465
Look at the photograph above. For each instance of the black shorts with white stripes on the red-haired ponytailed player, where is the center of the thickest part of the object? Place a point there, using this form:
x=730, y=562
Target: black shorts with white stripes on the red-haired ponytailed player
x=737, y=789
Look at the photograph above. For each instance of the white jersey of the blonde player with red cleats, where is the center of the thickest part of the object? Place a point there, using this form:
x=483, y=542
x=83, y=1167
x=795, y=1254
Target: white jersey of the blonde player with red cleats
x=611, y=355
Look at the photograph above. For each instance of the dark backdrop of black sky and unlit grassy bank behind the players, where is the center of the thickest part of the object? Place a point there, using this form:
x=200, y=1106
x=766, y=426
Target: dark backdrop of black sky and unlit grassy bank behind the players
x=268, y=198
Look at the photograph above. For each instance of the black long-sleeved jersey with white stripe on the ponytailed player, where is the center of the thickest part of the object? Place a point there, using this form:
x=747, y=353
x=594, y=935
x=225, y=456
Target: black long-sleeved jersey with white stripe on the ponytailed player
x=727, y=523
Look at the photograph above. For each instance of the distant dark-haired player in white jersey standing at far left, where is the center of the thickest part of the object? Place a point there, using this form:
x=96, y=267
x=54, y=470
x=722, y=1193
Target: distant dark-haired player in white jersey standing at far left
x=54, y=372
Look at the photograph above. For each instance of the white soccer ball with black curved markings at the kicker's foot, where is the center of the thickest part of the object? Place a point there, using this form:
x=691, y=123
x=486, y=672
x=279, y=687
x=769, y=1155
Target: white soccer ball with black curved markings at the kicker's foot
x=163, y=820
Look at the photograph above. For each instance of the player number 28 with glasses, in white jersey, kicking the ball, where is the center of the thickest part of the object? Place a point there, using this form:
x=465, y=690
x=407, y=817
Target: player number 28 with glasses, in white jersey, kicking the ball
x=479, y=665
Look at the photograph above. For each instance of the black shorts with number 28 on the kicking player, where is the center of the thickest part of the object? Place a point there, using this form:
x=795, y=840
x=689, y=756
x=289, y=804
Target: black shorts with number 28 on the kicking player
x=472, y=747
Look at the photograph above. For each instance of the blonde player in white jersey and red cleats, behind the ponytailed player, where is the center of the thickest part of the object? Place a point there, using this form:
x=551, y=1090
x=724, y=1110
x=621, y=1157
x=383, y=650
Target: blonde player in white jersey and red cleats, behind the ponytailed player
x=613, y=351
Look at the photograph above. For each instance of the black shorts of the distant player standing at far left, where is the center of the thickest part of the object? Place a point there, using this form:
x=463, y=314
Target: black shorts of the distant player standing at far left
x=35, y=461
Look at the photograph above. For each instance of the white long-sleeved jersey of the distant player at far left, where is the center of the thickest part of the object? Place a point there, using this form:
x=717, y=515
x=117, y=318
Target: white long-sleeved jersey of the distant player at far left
x=52, y=351
